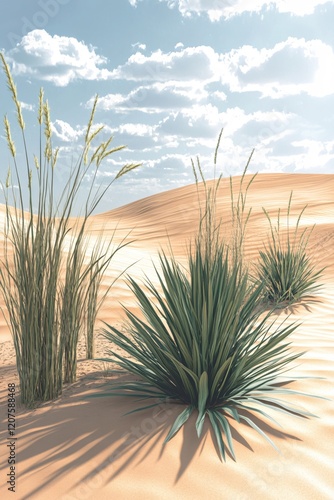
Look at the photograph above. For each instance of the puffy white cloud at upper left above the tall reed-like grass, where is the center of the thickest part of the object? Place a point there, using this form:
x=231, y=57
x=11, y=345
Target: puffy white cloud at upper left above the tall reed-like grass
x=58, y=59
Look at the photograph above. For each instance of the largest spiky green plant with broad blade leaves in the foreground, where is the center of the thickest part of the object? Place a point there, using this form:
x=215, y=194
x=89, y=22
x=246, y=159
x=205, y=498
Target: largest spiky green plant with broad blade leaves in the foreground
x=203, y=342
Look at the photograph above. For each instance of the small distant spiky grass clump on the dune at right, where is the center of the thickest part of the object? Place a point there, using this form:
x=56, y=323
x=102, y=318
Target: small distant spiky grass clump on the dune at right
x=284, y=269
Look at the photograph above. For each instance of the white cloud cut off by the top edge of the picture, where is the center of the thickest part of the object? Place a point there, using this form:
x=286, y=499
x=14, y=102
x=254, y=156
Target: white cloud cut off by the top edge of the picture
x=217, y=9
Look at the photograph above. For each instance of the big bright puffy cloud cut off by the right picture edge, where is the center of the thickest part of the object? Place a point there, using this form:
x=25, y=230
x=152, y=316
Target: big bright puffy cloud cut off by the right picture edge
x=289, y=68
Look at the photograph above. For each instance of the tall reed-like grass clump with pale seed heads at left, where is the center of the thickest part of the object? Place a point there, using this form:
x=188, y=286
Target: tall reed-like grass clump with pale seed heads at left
x=42, y=284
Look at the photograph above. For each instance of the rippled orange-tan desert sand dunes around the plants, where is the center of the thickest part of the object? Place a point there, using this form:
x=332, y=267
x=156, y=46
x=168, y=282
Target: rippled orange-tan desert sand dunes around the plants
x=78, y=448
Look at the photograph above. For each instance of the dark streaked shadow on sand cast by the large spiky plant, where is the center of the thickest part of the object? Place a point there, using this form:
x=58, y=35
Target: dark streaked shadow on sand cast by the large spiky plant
x=109, y=440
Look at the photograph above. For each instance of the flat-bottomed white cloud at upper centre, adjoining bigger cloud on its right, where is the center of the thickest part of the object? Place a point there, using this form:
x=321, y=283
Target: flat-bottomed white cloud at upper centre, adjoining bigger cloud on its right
x=192, y=63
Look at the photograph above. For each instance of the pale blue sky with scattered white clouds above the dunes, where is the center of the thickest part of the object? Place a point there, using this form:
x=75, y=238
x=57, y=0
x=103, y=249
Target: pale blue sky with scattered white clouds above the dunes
x=170, y=74
